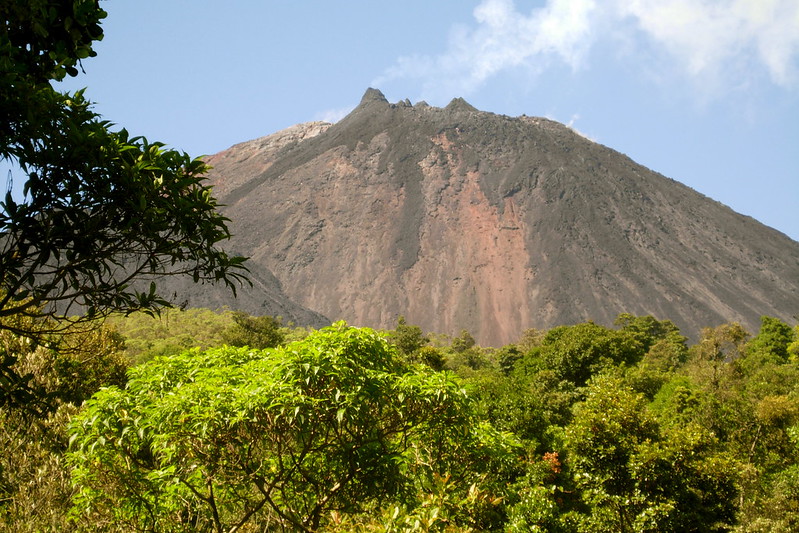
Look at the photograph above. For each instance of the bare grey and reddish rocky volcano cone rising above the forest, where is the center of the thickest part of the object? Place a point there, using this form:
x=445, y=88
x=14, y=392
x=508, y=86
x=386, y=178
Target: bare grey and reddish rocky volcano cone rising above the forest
x=457, y=218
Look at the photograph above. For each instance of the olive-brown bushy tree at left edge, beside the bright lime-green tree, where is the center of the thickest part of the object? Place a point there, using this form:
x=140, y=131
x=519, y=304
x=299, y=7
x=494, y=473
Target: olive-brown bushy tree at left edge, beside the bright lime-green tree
x=35, y=485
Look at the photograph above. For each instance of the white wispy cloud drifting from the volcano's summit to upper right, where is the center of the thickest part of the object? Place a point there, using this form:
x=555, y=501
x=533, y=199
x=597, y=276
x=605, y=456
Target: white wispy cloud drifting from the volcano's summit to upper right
x=705, y=39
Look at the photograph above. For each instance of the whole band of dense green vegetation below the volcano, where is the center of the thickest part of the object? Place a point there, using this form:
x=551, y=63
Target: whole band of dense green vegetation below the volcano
x=579, y=428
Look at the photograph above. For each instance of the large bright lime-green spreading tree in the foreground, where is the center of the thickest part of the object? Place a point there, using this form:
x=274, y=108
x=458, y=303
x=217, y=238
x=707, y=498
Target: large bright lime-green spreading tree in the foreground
x=218, y=439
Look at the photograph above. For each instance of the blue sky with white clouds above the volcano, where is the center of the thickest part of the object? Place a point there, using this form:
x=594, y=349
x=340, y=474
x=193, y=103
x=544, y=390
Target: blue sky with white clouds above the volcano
x=703, y=91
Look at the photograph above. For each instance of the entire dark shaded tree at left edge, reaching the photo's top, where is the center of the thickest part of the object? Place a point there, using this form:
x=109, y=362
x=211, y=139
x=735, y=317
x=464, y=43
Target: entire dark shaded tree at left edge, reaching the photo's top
x=104, y=213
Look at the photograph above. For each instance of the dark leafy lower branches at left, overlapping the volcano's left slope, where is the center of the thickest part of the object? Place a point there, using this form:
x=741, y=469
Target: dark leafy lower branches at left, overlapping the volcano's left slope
x=102, y=213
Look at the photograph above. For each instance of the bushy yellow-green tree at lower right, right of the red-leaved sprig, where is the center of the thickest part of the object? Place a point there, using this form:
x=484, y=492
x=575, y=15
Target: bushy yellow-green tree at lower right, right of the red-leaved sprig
x=638, y=477
